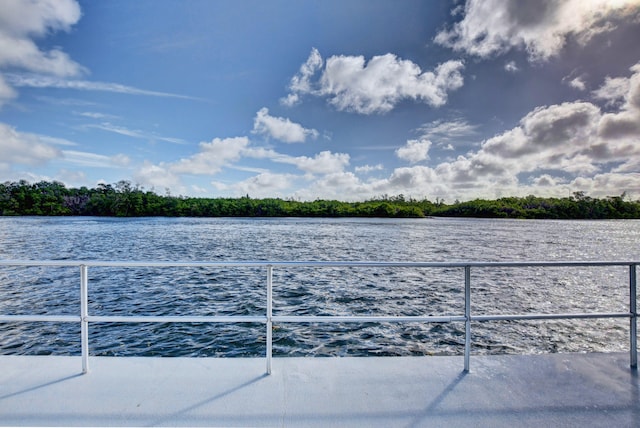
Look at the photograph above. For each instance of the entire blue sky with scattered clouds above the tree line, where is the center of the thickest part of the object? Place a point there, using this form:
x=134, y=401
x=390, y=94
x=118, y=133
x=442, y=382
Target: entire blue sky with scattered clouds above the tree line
x=348, y=99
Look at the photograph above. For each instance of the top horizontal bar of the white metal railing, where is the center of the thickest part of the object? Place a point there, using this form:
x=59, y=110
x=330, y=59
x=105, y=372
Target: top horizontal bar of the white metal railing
x=314, y=264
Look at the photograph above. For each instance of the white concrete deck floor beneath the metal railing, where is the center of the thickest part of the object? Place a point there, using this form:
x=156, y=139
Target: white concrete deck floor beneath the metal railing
x=542, y=390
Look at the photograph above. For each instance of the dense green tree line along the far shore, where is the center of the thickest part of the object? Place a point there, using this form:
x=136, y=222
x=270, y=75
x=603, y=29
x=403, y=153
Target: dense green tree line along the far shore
x=124, y=200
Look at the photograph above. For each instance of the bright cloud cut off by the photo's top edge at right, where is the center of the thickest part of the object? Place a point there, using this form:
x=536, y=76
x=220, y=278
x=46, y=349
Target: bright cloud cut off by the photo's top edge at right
x=492, y=27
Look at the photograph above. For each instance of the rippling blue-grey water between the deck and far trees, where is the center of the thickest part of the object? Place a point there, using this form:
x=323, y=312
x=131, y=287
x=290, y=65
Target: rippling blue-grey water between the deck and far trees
x=315, y=291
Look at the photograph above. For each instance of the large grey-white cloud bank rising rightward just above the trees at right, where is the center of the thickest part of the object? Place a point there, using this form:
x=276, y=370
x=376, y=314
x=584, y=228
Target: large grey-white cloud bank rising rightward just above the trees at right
x=554, y=150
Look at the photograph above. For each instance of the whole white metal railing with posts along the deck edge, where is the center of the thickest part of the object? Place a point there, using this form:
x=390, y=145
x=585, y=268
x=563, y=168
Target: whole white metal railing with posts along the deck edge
x=268, y=319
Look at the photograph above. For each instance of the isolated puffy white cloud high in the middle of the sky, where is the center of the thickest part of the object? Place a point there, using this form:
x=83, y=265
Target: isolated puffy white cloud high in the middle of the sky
x=352, y=84
